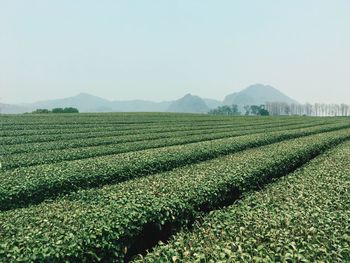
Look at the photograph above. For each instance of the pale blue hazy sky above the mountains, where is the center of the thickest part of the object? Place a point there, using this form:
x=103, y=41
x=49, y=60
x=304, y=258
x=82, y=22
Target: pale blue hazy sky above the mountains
x=162, y=49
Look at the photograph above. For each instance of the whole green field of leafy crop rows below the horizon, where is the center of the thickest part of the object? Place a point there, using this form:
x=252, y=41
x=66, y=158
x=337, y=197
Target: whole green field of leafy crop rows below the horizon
x=160, y=187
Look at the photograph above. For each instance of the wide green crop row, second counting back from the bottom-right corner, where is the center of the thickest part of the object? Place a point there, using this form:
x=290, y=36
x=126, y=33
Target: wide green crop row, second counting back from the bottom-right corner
x=107, y=223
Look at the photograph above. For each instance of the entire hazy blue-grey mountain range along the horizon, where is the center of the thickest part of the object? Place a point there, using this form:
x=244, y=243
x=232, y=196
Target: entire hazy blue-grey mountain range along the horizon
x=253, y=95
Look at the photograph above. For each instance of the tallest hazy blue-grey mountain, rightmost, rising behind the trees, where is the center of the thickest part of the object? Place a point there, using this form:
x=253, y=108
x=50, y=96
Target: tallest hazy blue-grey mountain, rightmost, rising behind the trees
x=256, y=95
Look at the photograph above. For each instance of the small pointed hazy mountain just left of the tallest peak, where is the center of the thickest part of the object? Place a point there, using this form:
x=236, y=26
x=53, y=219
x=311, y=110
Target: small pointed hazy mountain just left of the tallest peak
x=189, y=104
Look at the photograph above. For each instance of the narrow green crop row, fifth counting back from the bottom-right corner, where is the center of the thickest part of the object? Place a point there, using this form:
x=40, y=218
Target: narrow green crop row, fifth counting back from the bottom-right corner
x=95, y=139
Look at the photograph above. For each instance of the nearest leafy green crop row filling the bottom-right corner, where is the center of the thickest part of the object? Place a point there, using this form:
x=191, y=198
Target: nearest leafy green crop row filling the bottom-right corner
x=302, y=218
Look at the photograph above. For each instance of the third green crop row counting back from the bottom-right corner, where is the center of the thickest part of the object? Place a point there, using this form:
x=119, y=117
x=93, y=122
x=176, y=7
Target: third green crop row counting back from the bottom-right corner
x=26, y=185
